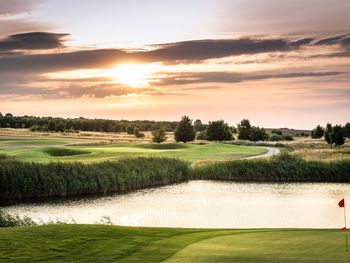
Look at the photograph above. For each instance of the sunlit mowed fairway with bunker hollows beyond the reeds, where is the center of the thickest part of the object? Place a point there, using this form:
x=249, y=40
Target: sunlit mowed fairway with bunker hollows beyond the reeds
x=67, y=149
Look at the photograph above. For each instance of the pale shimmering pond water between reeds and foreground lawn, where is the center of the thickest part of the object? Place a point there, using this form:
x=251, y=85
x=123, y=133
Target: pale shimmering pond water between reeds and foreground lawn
x=206, y=204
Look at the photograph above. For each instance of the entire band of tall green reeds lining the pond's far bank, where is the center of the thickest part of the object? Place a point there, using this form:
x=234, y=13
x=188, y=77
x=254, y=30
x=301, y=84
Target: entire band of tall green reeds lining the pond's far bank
x=20, y=180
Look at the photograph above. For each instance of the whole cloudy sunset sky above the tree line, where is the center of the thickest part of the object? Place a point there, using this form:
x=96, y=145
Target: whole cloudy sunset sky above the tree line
x=278, y=63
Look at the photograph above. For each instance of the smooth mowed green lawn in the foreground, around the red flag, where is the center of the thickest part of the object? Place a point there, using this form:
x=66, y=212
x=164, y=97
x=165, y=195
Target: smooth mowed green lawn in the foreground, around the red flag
x=98, y=243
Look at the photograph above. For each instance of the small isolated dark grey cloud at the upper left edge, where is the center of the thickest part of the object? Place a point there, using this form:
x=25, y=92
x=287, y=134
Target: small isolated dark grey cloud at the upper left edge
x=32, y=41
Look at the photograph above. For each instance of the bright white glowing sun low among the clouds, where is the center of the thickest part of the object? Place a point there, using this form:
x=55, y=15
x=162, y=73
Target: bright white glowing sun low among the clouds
x=133, y=75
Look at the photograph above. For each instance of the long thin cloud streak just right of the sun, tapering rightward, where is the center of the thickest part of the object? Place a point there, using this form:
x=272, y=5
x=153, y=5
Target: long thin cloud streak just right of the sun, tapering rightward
x=229, y=77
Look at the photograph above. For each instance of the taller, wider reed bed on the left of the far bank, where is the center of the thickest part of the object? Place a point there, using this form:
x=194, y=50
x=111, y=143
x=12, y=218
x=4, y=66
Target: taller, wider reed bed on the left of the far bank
x=20, y=180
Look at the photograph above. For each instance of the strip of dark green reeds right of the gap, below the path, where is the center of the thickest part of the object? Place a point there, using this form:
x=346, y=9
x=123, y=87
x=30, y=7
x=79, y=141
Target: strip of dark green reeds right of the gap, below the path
x=282, y=168
